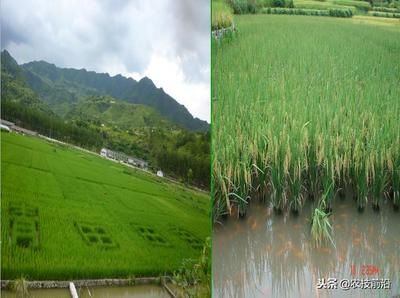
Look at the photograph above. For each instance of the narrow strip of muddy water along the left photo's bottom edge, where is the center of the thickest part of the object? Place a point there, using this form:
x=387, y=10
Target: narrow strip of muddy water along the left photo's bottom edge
x=139, y=291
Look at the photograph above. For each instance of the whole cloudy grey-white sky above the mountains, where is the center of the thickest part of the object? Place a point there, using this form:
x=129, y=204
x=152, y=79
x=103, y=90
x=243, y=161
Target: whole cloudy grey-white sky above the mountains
x=166, y=40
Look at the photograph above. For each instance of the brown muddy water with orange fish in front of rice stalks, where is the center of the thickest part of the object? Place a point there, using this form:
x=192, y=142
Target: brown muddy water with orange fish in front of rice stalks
x=269, y=255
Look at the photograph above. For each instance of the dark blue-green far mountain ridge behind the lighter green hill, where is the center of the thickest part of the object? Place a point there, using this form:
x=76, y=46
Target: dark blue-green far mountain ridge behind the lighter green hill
x=62, y=87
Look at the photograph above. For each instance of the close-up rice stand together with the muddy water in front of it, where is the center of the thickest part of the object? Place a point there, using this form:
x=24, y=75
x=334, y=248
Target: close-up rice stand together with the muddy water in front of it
x=306, y=129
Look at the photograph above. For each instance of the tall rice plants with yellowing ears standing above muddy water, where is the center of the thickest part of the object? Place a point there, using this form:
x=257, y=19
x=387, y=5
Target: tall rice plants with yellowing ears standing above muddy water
x=304, y=107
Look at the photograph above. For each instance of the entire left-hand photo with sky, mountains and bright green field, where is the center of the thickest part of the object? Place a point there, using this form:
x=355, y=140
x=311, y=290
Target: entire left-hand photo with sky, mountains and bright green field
x=105, y=149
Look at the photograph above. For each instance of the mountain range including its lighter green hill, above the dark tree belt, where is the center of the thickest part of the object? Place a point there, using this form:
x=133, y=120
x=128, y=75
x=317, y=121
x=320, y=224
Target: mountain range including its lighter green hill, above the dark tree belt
x=72, y=93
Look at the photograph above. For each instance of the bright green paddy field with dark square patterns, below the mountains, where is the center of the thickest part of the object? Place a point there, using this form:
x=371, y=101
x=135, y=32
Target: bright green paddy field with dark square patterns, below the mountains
x=67, y=214
